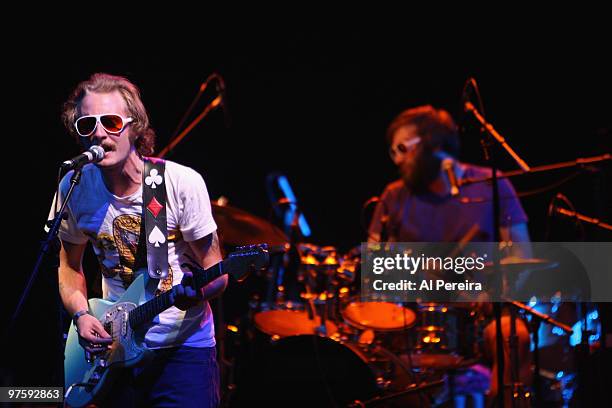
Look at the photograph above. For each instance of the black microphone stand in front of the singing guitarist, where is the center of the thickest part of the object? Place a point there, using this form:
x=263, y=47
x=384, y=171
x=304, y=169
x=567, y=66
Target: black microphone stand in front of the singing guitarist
x=50, y=245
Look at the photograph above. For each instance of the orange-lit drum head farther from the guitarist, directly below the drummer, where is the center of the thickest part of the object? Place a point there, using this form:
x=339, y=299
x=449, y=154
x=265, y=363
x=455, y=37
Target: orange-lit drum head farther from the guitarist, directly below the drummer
x=380, y=316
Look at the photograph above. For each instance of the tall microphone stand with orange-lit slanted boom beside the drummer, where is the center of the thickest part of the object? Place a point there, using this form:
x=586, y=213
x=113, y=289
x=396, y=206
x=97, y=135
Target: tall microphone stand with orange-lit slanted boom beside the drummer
x=488, y=133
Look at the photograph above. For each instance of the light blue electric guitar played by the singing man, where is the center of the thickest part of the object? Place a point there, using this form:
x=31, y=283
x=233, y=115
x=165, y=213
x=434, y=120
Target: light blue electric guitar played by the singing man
x=88, y=380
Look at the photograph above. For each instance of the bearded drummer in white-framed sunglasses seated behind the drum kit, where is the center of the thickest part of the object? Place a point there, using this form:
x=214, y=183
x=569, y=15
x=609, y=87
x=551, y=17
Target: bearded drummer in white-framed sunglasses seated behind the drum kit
x=425, y=205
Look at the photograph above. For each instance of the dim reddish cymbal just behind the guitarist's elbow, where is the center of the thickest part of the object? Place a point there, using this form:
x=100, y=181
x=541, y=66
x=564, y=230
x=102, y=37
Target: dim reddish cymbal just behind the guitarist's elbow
x=238, y=227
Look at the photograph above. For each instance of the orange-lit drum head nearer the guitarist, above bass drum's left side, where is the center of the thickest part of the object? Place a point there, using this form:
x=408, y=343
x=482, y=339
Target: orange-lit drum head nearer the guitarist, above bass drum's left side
x=283, y=323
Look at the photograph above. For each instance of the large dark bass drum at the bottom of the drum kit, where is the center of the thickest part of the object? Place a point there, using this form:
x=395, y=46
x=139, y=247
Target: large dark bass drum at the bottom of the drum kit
x=310, y=370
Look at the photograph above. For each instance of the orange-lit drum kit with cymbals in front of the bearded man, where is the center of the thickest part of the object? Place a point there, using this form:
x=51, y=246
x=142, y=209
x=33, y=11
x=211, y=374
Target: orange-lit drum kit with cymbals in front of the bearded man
x=307, y=332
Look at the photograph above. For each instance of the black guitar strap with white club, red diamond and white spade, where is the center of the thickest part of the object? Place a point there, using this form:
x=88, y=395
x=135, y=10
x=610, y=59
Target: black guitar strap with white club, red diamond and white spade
x=153, y=229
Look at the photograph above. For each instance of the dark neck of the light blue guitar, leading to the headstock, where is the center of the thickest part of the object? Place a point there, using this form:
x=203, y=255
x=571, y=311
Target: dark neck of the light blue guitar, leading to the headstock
x=148, y=310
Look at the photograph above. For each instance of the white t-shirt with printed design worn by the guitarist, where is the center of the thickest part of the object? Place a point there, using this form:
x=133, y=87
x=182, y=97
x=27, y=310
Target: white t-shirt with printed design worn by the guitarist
x=112, y=225
